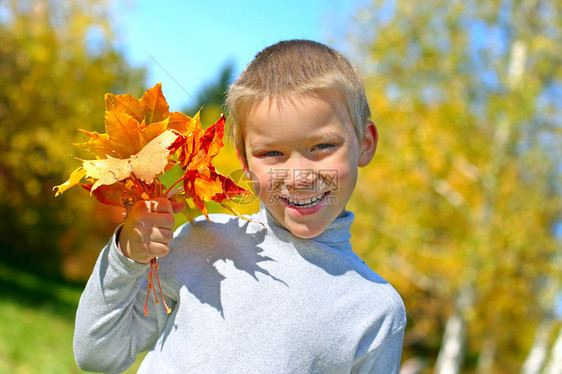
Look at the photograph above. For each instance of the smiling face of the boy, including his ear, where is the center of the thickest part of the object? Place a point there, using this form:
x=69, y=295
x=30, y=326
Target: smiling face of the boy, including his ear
x=305, y=157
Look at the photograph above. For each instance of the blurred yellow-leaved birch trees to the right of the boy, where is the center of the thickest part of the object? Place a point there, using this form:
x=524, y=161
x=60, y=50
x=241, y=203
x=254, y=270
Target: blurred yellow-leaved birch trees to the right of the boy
x=464, y=189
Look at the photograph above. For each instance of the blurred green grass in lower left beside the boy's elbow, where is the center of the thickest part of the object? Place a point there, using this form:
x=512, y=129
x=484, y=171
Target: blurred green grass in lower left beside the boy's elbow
x=37, y=324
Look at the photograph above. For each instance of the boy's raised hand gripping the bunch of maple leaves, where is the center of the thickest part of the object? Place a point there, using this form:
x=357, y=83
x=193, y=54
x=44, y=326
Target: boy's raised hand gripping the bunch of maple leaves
x=148, y=230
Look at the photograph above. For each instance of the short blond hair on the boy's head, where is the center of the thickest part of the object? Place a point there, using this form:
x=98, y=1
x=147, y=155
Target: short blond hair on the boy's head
x=290, y=70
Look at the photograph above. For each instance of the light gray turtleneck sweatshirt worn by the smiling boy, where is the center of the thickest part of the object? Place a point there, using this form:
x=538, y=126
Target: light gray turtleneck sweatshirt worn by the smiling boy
x=245, y=299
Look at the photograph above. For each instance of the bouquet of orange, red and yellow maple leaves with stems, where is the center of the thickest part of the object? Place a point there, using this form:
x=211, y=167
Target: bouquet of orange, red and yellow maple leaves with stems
x=143, y=140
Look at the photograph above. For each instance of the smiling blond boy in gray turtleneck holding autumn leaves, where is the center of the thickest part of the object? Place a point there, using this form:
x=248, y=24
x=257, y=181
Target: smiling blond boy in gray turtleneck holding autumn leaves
x=288, y=296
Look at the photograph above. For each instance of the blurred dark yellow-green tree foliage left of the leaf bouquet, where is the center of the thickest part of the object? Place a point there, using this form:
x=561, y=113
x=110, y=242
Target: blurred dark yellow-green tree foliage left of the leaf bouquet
x=57, y=60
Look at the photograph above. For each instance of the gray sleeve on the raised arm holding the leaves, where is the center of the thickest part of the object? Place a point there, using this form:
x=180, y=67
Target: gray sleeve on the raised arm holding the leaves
x=111, y=327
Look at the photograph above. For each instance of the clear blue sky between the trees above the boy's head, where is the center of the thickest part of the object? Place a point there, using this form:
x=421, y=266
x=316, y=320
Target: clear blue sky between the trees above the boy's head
x=186, y=43
